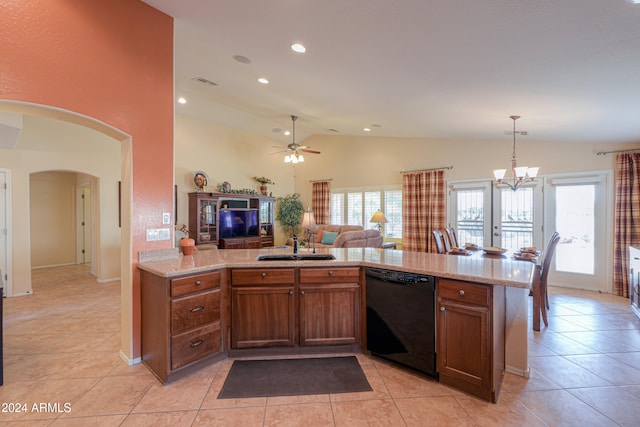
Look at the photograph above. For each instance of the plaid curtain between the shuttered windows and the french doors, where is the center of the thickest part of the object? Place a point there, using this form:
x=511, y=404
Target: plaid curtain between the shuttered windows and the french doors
x=423, y=209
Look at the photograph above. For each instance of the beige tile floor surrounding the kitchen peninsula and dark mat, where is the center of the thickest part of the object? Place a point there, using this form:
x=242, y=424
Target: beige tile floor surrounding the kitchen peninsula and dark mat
x=61, y=348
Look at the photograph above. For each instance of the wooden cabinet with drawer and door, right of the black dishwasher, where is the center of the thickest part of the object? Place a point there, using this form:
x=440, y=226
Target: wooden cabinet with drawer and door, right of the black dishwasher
x=470, y=336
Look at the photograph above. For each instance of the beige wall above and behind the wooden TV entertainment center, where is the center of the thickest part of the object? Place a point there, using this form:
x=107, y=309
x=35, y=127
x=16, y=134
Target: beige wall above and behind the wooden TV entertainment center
x=226, y=155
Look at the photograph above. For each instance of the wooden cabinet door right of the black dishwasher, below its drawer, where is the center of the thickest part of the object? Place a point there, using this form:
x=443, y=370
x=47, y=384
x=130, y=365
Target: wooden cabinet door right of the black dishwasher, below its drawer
x=463, y=344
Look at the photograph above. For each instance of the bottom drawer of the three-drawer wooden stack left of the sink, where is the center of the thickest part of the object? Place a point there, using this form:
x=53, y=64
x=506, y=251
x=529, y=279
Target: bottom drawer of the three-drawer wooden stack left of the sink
x=193, y=345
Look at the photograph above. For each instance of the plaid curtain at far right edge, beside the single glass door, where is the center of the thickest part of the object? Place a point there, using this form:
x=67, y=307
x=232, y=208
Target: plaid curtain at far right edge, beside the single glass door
x=627, y=218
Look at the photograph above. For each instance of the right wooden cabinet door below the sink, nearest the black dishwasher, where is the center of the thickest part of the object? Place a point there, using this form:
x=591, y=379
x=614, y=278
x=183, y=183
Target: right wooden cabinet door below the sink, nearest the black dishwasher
x=329, y=314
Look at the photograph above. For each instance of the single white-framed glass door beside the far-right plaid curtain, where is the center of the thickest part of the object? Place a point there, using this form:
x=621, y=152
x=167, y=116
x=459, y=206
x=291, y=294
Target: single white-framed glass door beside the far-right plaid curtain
x=579, y=208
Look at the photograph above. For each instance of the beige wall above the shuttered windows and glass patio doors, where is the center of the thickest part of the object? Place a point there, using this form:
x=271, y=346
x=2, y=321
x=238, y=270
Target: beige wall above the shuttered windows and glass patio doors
x=377, y=161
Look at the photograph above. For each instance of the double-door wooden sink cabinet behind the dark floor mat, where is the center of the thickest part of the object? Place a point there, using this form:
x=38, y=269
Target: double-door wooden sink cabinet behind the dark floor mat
x=273, y=308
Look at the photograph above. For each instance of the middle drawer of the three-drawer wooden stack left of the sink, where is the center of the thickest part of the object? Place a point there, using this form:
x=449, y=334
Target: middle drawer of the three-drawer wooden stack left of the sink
x=195, y=310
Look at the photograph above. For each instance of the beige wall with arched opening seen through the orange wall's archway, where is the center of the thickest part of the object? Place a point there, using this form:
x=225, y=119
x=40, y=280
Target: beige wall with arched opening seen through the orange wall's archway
x=51, y=145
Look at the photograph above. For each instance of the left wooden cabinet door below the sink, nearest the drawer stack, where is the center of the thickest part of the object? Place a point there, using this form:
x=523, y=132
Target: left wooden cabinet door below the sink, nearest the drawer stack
x=262, y=316
